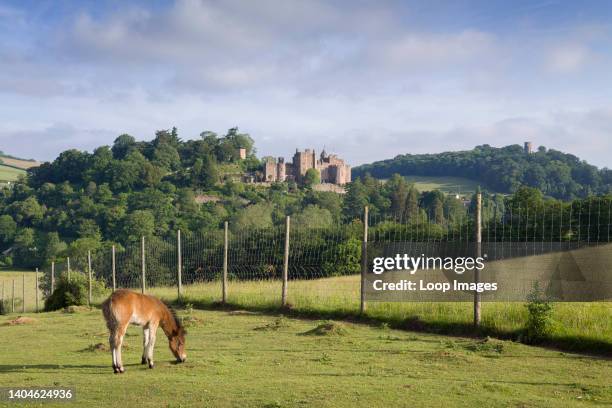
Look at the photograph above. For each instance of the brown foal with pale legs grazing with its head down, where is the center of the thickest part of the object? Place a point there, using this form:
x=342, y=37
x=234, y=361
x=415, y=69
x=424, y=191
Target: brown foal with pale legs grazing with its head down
x=124, y=307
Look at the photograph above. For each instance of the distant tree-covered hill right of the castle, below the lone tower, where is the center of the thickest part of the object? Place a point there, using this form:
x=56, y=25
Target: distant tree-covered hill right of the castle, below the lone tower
x=556, y=174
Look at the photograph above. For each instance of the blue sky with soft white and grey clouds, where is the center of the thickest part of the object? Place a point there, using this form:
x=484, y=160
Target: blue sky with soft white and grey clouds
x=367, y=79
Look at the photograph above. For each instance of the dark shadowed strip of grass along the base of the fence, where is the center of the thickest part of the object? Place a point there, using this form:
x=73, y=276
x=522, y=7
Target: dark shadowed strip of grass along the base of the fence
x=575, y=344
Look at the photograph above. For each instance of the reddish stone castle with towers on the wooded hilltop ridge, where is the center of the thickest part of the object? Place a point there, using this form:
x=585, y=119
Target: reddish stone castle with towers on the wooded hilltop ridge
x=331, y=168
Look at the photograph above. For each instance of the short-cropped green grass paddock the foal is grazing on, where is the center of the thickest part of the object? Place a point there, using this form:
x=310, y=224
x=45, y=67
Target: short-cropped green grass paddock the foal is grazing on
x=245, y=359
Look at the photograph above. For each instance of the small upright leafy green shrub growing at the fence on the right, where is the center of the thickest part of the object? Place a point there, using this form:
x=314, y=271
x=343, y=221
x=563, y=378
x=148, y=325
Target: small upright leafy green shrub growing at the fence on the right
x=539, y=320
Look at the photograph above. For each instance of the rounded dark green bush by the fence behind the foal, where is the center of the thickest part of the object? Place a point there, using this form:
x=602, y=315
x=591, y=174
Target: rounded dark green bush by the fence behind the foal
x=73, y=292
